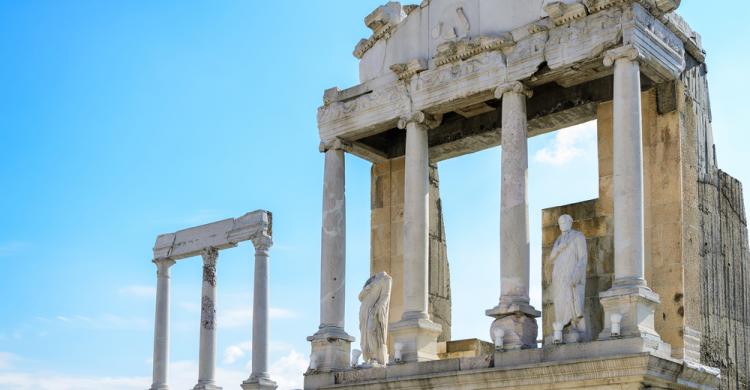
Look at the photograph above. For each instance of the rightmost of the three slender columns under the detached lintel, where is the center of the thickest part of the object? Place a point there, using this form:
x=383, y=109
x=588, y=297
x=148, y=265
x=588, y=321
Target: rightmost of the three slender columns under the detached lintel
x=259, y=378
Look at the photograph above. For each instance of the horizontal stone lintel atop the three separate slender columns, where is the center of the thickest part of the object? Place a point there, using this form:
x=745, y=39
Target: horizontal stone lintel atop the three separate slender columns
x=222, y=234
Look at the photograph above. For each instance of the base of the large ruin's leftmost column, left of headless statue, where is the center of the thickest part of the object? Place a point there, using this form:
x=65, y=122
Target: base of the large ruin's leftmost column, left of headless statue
x=331, y=350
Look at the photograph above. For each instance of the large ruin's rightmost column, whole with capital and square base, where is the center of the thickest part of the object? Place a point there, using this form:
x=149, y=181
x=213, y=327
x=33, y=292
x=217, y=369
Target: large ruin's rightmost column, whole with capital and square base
x=629, y=299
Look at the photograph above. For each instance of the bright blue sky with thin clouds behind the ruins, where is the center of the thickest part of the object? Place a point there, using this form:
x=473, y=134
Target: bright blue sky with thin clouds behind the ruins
x=122, y=120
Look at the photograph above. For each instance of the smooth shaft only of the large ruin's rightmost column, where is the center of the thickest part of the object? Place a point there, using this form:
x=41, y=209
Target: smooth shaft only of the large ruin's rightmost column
x=628, y=173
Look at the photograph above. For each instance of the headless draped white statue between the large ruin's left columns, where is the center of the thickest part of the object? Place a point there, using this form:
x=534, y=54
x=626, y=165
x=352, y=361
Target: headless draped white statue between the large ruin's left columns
x=373, y=318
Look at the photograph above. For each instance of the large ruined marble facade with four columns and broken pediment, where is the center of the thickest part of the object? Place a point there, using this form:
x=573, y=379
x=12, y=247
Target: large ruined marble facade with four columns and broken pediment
x=666, y=296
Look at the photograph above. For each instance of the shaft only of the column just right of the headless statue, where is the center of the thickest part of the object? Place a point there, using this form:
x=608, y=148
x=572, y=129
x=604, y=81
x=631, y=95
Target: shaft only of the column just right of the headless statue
x=416, y=222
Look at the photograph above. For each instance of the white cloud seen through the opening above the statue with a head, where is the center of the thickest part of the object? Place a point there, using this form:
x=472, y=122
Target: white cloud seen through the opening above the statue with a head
x=569, y=144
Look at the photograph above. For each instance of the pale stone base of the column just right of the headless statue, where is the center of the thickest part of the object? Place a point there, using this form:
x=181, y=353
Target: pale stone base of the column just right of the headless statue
x=418, y=339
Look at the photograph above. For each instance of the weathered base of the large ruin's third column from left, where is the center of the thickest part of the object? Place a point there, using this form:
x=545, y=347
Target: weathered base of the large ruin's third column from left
x=517, y=319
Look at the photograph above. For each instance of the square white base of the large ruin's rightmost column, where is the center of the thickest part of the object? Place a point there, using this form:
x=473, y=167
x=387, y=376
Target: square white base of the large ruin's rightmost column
x=634, y=306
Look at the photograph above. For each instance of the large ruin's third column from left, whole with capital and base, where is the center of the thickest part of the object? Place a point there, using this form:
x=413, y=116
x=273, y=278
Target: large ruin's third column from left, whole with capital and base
x=514, y=314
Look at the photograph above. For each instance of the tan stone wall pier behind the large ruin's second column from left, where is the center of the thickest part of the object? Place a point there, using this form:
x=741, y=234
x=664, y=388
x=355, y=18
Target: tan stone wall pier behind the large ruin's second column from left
x=387, y=222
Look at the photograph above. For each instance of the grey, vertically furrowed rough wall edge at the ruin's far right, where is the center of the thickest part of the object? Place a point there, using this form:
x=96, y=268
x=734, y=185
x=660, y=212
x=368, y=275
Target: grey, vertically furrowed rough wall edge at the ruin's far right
x=722, y=243
